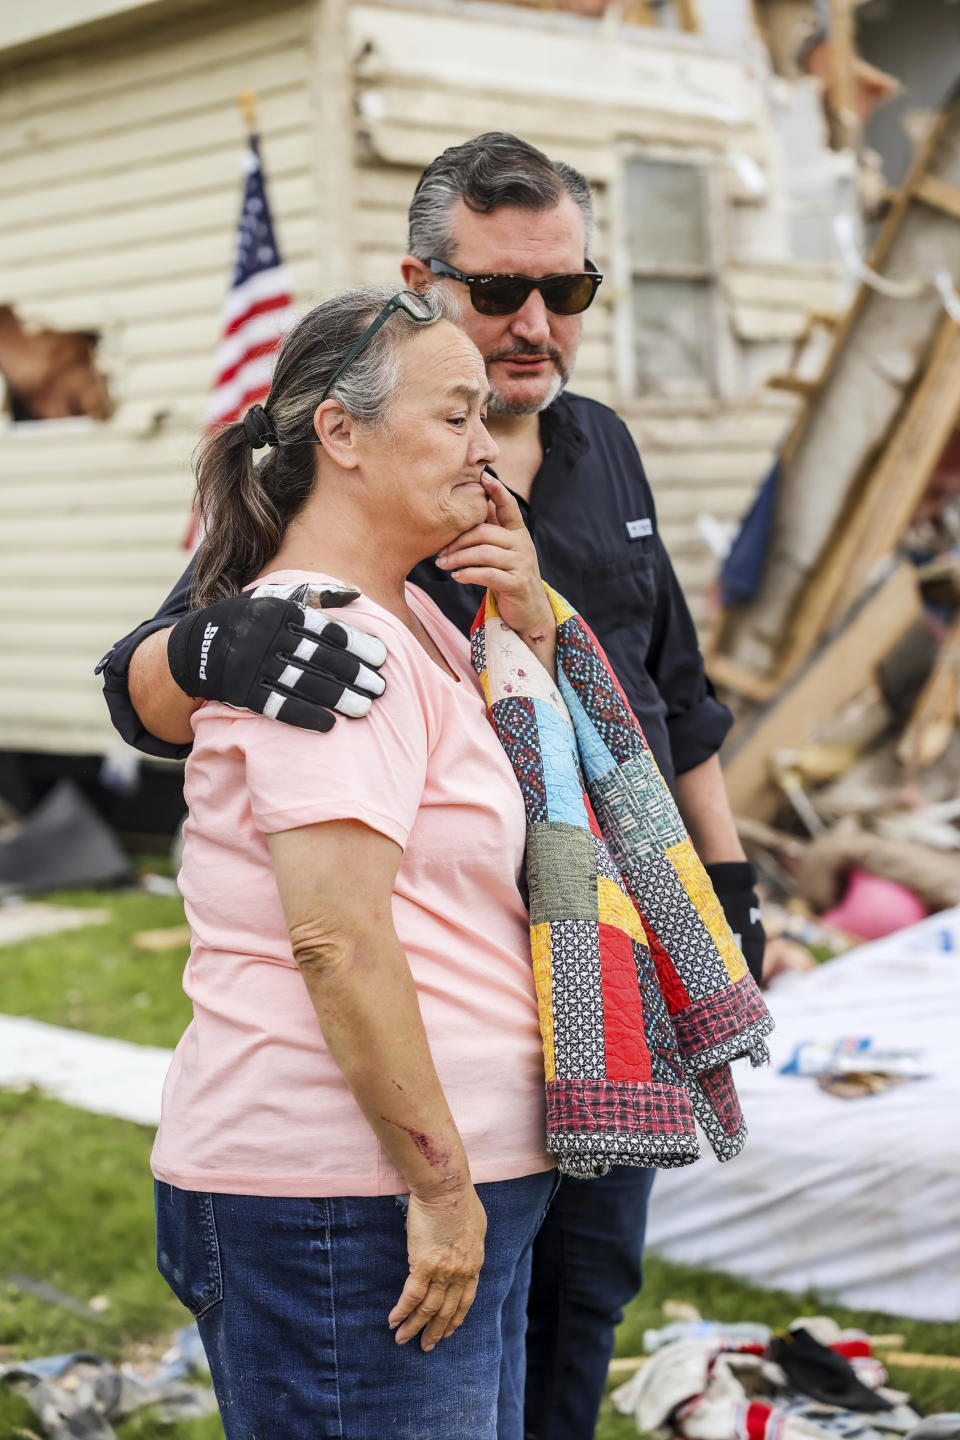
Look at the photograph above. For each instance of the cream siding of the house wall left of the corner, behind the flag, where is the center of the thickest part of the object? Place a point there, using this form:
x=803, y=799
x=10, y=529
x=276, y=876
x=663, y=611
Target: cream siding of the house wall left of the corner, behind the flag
x=119, y=198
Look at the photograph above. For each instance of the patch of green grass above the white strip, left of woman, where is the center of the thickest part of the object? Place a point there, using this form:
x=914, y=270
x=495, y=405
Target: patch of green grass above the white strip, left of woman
x=96, y=980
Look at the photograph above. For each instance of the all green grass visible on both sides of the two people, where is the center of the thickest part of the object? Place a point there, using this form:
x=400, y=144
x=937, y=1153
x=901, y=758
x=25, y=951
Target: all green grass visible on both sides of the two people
x=77, y=1202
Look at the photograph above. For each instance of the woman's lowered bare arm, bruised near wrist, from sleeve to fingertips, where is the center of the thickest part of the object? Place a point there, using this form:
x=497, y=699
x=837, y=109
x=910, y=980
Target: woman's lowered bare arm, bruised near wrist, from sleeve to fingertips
x=336, y=882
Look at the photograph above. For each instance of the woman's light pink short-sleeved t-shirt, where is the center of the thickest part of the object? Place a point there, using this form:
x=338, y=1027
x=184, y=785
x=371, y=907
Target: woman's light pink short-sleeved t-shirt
x=254, y=1104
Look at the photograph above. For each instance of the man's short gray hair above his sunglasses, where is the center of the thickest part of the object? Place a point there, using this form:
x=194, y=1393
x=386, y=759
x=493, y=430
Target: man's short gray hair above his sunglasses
x=486, y=174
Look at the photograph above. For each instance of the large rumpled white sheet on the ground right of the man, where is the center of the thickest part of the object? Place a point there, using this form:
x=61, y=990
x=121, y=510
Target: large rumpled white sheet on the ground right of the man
x=859, y=1199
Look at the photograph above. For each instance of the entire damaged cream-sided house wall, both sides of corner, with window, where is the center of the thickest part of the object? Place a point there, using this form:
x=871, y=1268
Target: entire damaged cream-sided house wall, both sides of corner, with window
x=120, y=182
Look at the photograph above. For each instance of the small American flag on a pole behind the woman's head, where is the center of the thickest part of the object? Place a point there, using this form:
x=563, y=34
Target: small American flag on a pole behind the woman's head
x=258, y=309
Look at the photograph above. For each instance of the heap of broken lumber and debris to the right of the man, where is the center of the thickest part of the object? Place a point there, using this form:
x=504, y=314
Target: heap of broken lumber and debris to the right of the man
x=838, y=643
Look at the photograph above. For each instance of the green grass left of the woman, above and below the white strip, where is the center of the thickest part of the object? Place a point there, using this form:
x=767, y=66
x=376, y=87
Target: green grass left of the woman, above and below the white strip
x=77, y=1197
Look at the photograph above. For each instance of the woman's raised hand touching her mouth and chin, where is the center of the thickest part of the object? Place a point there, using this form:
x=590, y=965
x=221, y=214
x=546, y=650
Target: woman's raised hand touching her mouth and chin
x=500, y=555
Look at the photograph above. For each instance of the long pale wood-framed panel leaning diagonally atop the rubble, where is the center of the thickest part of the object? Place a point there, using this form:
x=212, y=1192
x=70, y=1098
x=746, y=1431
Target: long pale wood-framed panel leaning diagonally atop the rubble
x=869, y=436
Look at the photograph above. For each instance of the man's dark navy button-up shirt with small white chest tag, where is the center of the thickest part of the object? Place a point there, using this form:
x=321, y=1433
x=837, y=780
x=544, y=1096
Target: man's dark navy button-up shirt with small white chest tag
x=594, y=525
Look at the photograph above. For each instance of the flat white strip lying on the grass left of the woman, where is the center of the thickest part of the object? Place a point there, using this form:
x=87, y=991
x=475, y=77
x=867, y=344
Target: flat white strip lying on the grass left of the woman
x=93, y=1072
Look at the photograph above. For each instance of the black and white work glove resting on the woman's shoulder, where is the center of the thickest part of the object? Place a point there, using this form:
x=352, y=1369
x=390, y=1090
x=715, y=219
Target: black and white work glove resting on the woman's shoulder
x=274, y=650
